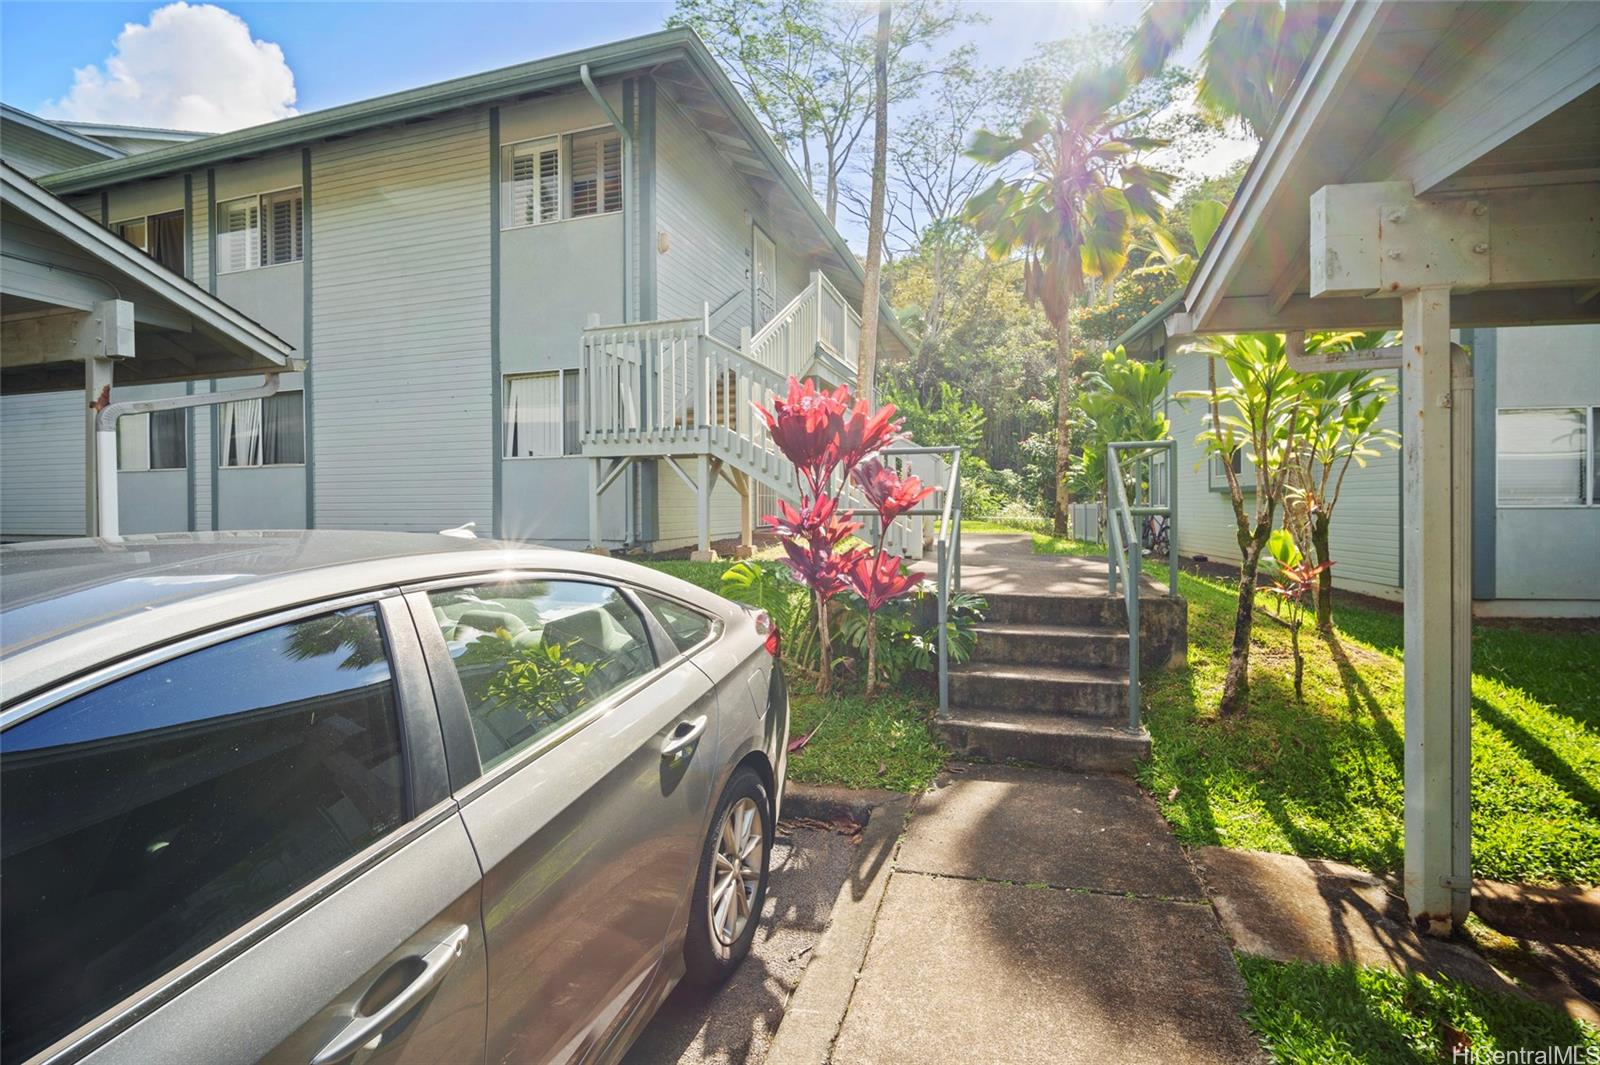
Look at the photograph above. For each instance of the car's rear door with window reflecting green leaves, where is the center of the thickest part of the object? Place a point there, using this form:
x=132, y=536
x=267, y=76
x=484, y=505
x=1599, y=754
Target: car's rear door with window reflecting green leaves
x=582, y=756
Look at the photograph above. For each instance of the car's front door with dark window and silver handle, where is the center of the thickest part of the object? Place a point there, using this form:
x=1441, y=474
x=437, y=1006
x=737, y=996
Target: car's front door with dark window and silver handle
x=242, y=850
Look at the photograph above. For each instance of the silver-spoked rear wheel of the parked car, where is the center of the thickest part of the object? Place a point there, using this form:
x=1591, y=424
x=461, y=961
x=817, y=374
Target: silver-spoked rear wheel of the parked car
x=732, y=884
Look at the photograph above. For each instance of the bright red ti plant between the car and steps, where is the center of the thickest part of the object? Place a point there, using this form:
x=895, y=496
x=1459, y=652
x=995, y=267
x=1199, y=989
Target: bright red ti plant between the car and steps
x=833, y=442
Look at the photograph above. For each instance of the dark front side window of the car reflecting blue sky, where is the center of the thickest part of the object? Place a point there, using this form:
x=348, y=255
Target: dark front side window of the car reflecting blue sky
x=150, y=818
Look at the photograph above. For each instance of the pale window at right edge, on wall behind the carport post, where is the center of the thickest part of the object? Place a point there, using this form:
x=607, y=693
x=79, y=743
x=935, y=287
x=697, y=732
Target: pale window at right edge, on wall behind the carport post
x=1543, y=458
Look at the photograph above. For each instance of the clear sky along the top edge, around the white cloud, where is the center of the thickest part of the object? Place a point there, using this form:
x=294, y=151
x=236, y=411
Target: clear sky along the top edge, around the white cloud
x=345, y=52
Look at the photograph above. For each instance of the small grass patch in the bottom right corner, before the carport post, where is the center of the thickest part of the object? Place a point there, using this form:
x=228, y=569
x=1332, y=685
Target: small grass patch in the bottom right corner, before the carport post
x=1348, y=1015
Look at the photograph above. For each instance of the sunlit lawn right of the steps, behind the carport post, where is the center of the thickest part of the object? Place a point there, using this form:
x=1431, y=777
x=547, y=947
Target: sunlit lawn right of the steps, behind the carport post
x=1324, y=778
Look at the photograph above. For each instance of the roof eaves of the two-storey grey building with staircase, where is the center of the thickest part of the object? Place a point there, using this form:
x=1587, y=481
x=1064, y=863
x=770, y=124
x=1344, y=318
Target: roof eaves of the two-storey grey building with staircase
x=682, y=58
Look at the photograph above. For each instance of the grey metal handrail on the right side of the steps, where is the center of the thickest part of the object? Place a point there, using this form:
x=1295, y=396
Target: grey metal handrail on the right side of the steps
x=1124, y=543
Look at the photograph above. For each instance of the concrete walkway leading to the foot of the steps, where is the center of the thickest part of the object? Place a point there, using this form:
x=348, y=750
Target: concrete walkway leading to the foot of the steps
x=1044, y=917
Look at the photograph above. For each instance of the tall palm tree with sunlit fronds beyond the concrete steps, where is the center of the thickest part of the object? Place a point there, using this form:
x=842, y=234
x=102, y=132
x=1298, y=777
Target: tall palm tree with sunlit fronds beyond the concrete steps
x=1071, y=213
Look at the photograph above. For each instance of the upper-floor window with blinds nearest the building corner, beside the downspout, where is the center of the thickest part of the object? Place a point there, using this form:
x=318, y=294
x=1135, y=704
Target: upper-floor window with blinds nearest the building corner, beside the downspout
x=558, y=178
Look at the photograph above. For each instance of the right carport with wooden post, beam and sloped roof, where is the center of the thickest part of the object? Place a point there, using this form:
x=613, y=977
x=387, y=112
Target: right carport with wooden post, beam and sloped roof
x=1438, y=167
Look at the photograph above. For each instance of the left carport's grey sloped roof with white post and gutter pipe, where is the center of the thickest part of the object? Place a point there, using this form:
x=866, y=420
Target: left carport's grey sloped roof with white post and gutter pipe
x=84, y=309
